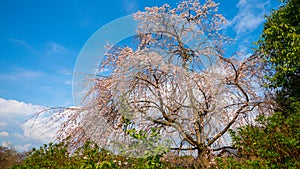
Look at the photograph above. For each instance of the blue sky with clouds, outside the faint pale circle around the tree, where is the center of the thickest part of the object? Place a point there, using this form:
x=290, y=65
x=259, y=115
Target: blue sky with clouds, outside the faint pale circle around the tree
x=41, y=40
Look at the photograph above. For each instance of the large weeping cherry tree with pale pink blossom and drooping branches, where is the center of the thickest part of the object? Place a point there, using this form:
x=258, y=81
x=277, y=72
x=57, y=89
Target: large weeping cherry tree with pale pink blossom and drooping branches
x=177, y=81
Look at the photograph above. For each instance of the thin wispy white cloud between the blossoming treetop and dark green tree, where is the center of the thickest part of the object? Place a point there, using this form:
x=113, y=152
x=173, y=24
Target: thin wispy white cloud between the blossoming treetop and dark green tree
x=249, y=17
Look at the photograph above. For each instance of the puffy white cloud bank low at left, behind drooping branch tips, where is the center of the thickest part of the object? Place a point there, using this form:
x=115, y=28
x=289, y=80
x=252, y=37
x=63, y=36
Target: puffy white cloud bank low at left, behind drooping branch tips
x=26, y=125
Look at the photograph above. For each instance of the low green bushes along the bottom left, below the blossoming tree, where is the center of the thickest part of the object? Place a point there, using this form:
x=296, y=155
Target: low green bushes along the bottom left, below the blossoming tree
x=57, y=155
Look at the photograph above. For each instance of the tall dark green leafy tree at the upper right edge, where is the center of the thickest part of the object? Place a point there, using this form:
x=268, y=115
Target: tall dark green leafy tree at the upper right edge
x=280, y=45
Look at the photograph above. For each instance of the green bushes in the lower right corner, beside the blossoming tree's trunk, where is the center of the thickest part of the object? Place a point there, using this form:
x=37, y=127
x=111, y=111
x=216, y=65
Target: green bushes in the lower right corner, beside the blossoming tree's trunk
x=275, y=143
